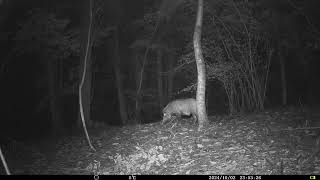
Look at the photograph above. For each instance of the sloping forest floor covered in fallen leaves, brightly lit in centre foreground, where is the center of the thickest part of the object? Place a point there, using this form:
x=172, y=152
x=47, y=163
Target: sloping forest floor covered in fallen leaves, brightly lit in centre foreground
x=277, y=141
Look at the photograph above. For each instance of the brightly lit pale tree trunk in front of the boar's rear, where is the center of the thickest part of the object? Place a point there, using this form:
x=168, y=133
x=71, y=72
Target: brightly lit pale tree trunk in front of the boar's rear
x=201, y=85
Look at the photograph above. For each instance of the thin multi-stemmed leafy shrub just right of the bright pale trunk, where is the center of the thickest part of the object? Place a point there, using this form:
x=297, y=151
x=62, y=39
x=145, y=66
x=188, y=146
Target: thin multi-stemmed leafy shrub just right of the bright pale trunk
x=235, y=51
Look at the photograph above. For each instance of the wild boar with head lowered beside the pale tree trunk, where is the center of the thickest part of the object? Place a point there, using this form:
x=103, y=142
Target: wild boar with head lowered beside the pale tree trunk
x=180, y=107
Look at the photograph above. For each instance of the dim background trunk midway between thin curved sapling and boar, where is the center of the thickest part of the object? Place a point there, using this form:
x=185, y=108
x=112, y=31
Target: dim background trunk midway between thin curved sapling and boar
x=118, y=81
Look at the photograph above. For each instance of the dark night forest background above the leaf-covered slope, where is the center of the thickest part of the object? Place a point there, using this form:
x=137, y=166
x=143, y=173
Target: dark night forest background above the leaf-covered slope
x=259, y=54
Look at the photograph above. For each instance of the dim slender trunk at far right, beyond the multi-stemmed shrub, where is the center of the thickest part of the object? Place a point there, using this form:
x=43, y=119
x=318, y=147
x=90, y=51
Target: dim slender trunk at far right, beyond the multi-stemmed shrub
x=283, y=78
